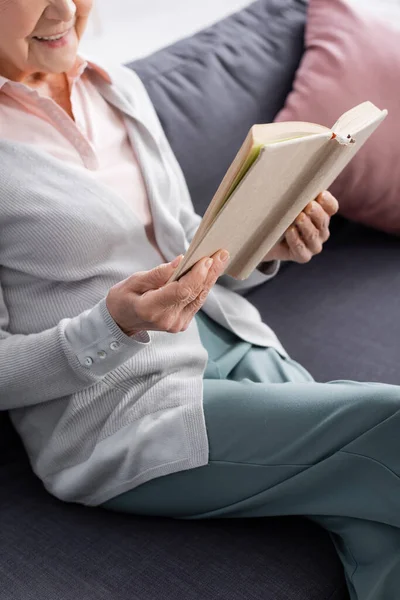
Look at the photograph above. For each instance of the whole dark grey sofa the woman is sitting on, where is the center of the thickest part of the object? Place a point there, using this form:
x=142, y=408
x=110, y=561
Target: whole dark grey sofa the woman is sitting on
x=338, y=315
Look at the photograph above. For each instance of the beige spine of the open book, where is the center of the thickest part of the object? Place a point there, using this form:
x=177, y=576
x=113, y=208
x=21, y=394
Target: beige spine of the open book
x=311, y=182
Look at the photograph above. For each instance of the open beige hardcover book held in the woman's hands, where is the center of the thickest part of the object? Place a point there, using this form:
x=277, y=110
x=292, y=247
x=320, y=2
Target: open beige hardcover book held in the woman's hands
x=278, y=170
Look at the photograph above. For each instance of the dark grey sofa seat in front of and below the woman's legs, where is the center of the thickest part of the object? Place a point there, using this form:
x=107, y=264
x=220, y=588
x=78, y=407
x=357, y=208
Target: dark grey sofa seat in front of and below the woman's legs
x=50, y=550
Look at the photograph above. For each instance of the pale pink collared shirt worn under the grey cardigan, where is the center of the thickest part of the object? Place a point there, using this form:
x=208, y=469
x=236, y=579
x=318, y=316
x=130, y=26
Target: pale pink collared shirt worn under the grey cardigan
x=96, y=141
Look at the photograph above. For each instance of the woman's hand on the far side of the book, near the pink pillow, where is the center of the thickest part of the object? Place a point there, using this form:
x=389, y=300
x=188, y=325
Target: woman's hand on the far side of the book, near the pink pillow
x=306, y=236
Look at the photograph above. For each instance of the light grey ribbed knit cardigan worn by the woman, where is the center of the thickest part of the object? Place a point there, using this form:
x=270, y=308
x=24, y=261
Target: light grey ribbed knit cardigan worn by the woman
x=99, y=412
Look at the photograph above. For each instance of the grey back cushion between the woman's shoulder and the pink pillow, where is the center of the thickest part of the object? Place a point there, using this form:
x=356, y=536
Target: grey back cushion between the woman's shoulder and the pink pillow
x=210, y=88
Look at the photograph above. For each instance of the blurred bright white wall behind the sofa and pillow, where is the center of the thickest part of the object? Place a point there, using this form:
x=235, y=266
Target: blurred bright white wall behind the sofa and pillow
x=122, y=30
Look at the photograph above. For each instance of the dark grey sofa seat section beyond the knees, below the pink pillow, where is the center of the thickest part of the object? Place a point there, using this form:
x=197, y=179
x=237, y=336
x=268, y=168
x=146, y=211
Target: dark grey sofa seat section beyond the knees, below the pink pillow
x=338, y=315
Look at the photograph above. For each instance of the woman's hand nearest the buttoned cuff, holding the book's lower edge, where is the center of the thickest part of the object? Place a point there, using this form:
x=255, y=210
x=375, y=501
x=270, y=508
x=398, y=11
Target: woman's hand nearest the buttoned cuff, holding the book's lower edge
x=145, y=301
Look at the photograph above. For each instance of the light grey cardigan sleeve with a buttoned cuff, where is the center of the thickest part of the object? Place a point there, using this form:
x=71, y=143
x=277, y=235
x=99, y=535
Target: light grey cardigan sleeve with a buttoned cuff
x=63, y=360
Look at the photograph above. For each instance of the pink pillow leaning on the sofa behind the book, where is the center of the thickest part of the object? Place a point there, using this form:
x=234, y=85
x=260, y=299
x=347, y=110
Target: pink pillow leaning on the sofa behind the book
x=351, y=57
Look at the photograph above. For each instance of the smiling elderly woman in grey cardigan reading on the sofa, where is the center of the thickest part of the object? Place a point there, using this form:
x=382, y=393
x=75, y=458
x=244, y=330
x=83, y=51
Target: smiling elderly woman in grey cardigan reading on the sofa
x=156, y=398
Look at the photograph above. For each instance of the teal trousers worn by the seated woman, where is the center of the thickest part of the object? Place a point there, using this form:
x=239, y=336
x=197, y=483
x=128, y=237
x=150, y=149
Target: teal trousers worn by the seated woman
x=282, y=444
